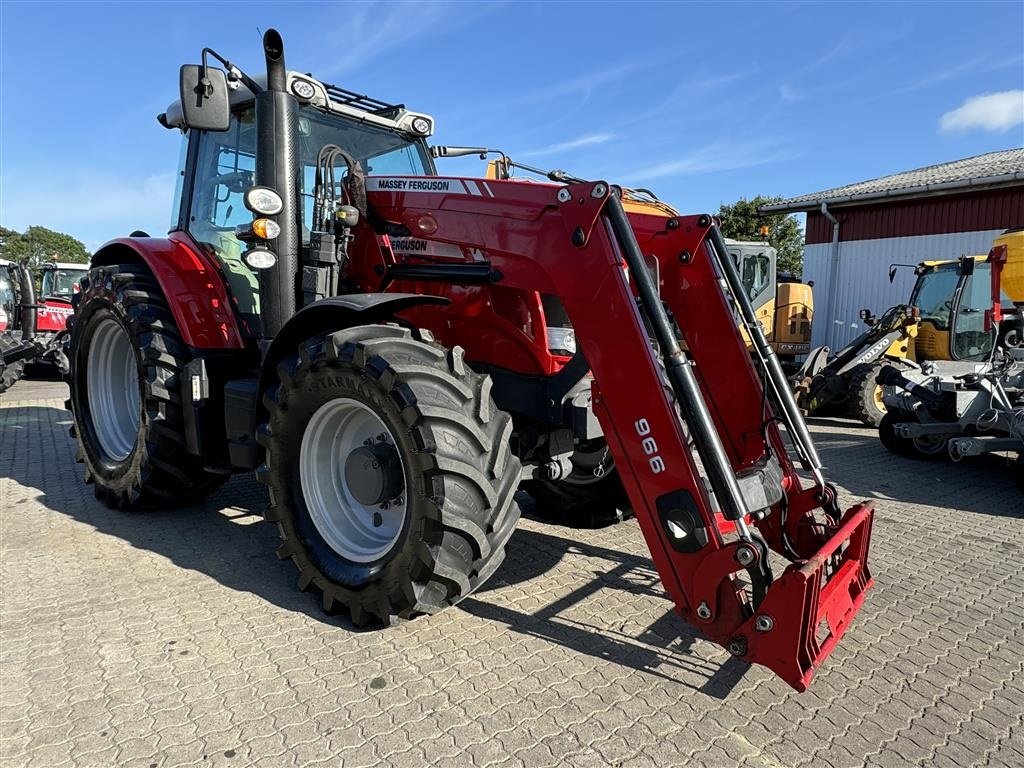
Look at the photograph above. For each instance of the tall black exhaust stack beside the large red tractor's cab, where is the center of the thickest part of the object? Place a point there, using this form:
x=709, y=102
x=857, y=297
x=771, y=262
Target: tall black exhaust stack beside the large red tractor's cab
x=278, y=168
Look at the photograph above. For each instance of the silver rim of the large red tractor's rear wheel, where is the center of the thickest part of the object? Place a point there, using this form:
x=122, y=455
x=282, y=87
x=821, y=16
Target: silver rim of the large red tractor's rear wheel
x=113, y=390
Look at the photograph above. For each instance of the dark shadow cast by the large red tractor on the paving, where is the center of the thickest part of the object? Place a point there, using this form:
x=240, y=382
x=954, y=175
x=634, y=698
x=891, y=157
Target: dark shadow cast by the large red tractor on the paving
x=225, y=538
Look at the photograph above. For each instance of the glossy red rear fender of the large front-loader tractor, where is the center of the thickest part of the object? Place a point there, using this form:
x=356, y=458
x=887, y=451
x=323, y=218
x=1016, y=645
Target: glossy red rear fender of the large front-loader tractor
x=191, y=282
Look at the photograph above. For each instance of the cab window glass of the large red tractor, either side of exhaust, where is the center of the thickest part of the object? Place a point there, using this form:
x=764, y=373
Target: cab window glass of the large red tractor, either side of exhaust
x=226, y=167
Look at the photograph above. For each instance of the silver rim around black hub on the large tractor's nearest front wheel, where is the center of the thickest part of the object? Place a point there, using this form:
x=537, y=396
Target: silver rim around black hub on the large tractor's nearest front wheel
x=336, y=430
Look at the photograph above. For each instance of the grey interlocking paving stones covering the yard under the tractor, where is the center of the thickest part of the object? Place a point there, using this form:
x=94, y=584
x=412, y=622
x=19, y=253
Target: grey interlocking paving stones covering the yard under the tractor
x=178, y=638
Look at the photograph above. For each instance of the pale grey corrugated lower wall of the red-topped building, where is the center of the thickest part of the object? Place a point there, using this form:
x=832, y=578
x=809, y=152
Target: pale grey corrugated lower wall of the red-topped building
x=864, y=277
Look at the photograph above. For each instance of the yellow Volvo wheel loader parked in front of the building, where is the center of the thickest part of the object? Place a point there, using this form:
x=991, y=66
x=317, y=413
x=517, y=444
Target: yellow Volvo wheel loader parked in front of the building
x=942, y=322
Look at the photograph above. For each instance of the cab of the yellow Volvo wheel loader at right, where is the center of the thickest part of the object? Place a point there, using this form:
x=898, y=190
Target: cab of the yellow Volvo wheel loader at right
x=953, y=298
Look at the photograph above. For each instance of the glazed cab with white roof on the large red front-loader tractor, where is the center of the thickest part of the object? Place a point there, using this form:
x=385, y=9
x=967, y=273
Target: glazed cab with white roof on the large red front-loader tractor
x=217, y=169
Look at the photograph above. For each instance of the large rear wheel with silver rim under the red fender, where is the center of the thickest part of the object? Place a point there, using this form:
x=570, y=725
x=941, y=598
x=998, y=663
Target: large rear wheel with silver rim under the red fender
x=126, y=356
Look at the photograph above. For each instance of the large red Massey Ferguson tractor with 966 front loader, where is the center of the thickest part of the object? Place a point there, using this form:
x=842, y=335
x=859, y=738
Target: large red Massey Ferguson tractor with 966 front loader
x=395, y=352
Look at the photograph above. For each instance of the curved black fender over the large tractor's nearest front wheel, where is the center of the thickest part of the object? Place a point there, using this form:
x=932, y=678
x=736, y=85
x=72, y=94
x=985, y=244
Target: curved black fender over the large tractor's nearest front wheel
x=335, y=314
